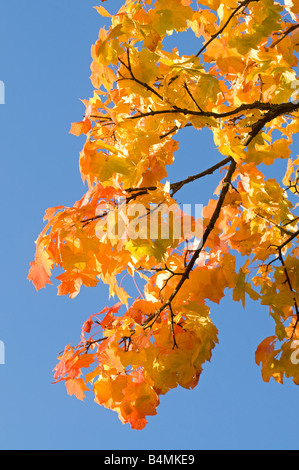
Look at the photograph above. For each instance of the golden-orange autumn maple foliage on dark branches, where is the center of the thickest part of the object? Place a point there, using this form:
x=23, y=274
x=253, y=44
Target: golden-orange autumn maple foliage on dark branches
x=240, y=82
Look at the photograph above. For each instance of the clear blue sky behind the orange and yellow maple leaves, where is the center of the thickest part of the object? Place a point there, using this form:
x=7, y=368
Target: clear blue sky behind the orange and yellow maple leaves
x=45, y=65
